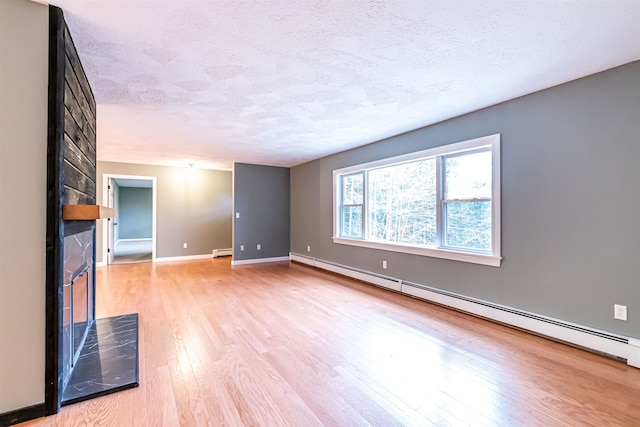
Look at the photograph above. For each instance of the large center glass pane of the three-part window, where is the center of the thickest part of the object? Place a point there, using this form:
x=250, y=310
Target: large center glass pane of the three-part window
x=402, y=203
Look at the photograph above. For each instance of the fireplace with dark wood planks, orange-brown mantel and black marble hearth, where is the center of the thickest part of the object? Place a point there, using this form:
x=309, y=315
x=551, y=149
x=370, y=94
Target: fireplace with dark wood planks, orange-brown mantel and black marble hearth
x=86, y=357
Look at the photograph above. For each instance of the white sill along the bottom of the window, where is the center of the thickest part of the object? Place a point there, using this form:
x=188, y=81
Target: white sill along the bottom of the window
x=493, y=261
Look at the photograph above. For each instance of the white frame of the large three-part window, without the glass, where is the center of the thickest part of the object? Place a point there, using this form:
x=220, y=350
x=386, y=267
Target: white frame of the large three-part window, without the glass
x=491, y=258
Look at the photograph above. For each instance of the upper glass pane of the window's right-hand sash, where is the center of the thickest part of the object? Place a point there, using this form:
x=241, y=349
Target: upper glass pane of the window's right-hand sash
x=468, y=176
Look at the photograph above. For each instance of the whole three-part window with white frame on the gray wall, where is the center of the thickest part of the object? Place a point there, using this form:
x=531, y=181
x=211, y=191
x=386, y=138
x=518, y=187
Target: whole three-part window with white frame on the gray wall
x=443, y=202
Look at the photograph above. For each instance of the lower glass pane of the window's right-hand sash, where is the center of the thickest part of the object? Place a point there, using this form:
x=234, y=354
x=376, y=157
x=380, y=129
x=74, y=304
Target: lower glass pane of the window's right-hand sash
x=468, y=225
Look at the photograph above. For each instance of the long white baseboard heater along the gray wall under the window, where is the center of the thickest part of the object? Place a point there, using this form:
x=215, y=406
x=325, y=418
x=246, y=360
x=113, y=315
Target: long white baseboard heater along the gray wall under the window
x=600, y=341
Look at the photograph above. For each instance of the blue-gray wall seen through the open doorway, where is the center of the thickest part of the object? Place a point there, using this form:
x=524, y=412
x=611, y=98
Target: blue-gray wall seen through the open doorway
x=134, y=214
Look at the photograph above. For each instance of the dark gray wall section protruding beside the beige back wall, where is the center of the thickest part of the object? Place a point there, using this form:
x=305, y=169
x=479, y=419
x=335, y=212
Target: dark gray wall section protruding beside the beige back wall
x=261, y=197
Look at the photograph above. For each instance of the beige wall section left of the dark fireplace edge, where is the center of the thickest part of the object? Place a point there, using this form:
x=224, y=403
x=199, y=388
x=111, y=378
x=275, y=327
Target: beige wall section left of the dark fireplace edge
x=24, y=28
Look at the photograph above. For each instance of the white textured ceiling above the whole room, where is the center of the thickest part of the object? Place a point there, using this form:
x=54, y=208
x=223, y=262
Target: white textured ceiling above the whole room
x=281, y=82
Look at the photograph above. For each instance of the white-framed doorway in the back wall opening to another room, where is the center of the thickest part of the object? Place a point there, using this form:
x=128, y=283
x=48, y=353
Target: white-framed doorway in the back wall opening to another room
x=131, y=235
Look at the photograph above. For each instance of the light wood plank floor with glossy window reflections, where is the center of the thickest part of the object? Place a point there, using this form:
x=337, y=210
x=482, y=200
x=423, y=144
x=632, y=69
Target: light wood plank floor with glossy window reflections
x=287, y=345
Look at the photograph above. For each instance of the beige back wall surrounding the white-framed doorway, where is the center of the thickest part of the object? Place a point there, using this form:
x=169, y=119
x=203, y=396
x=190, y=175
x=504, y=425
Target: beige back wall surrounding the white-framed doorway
x=193, y=206
